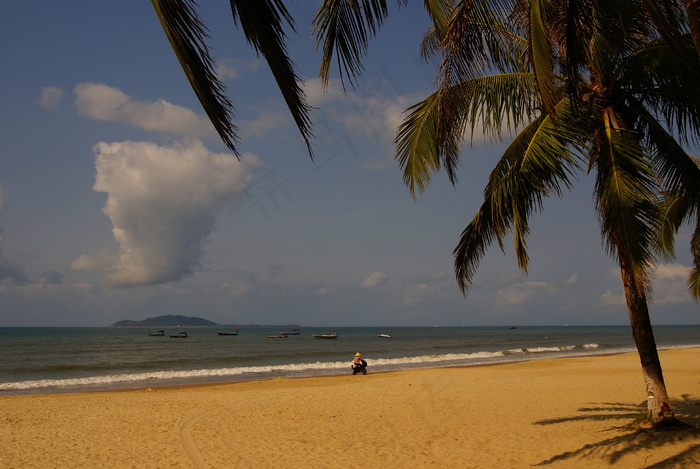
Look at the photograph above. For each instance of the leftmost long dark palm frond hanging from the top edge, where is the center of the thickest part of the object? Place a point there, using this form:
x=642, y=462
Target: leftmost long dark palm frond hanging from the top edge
x=187, y=36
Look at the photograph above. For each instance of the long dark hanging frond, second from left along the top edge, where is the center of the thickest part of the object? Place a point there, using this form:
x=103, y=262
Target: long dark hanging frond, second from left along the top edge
x=262, y=24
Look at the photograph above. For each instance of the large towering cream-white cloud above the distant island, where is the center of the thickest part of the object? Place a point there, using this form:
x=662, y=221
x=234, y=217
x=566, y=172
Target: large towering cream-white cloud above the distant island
x=163, y=202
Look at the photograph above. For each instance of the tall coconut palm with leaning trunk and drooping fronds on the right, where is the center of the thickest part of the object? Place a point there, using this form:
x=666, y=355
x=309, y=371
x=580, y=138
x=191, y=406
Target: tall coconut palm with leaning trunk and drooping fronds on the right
x=588, y=87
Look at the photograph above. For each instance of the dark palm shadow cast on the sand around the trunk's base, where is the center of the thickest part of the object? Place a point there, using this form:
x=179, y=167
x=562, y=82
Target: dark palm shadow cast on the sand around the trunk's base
x=631, y=437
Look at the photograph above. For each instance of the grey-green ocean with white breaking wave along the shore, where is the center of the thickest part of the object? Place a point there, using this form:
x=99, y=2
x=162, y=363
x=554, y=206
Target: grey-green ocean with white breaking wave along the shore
x=75, y=359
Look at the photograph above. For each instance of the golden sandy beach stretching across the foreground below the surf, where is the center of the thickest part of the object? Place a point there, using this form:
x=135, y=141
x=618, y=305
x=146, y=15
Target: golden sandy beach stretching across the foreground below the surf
x=555, y=413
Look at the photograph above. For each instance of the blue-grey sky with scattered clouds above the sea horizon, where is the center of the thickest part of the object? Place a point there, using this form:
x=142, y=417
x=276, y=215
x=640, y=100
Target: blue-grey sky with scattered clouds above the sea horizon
x=118, y=201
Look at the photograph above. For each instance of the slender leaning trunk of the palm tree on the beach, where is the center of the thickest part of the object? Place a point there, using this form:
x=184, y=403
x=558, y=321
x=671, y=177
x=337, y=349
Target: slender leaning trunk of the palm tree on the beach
x=659, y=409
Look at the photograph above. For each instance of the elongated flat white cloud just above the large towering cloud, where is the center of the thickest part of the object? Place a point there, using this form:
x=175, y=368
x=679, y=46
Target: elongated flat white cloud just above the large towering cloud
x=105, y=103
